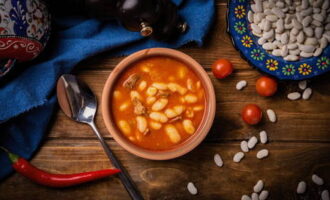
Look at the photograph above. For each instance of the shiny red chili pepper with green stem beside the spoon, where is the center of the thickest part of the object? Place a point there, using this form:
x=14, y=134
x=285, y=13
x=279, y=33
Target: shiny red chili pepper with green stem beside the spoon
x=41, y=177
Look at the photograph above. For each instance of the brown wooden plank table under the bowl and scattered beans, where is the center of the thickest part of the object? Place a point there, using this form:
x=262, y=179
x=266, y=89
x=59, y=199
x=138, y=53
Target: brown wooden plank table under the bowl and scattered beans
x=299, y=142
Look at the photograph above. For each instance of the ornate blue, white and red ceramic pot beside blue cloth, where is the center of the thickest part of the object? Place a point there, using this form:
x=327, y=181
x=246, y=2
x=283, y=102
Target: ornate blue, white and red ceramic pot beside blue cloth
x=24, y=31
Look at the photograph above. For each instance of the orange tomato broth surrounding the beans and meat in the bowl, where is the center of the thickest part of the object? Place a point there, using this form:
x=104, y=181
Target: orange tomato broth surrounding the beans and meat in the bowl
x=162, y=70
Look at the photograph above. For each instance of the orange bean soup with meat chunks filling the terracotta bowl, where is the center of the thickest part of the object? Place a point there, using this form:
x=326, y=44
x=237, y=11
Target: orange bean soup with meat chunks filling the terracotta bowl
x=158, y=102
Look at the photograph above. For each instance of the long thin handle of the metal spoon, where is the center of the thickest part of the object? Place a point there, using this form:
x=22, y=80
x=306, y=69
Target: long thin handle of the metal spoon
x=123, y=175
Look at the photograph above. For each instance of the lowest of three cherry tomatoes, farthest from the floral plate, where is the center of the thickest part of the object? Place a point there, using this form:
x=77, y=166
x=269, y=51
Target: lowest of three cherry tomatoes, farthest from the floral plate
x=251, y=114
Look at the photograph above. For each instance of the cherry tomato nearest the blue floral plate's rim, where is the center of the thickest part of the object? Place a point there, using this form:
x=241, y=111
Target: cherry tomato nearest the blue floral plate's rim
x=266, y=86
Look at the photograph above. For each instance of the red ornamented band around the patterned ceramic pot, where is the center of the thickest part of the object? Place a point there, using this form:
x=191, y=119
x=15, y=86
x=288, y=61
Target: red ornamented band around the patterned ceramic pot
x=22, y=49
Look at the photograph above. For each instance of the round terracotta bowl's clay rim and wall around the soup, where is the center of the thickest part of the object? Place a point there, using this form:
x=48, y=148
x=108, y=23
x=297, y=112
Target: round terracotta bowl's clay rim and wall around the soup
x=181, y=148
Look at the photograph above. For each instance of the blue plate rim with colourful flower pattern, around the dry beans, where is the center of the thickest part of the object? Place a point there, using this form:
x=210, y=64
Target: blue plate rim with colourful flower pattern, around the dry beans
x=245, y=42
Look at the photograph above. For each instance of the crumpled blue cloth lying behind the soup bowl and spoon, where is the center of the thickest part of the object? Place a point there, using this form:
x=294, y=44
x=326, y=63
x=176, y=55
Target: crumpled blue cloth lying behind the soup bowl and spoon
x=28, y=101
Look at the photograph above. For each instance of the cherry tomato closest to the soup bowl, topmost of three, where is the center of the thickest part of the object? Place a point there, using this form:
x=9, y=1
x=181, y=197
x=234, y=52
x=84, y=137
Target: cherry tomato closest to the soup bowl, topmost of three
x=222, y=68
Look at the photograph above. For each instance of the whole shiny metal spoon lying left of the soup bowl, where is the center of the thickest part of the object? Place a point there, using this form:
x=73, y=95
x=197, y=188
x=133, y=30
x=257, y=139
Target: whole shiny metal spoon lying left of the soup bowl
x=79, y=103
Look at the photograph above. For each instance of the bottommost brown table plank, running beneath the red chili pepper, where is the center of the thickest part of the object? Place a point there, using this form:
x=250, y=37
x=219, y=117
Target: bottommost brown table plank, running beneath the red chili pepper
x=287, y=164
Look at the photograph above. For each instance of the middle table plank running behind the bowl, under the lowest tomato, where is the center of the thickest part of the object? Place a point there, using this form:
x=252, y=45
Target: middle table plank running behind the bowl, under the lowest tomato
x=297, y=120
